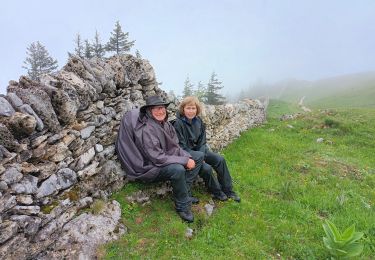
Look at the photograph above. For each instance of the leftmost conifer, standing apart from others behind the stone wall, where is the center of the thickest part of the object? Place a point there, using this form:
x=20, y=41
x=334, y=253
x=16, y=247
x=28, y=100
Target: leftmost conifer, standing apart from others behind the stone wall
x=38, y=61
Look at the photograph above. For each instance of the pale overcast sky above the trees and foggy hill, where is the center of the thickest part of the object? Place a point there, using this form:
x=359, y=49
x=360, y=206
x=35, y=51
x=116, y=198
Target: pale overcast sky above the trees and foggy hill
x=243, y=41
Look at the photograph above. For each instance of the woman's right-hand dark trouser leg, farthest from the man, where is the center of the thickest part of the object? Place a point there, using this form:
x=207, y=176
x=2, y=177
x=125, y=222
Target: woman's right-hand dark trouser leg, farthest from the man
x=220, y=166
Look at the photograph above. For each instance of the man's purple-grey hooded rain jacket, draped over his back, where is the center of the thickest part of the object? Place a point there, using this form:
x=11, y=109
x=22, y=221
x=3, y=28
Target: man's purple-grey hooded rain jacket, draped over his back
x=144, y=146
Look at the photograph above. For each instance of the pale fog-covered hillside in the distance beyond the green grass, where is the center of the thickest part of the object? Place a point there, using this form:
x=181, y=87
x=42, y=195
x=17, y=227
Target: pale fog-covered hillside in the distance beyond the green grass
x=354, y=90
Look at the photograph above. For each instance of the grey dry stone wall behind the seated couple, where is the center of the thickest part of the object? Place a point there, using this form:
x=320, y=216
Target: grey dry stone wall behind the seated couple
x=57, y=153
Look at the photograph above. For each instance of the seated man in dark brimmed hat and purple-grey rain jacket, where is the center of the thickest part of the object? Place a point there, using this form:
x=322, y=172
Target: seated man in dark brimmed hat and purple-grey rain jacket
x=147, y=146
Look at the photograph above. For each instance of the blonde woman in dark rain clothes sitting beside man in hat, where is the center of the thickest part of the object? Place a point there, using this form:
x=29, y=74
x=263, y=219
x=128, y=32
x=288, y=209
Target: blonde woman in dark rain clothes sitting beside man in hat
x=191, y=133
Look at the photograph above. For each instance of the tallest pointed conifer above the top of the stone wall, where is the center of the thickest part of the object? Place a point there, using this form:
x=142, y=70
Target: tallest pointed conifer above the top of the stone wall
x=118, y=42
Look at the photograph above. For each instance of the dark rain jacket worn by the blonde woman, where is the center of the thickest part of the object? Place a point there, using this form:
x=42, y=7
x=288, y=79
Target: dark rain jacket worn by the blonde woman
x=191, y=135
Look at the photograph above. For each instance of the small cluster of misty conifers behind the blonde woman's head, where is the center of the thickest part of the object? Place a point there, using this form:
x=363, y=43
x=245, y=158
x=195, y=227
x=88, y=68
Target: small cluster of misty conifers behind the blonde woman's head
x=206, y=93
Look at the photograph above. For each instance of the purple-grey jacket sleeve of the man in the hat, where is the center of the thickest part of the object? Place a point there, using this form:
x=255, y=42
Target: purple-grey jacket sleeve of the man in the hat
x=153, y=150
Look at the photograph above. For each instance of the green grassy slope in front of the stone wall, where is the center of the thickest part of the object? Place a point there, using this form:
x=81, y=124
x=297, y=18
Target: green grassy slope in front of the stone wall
x=289, y=184
